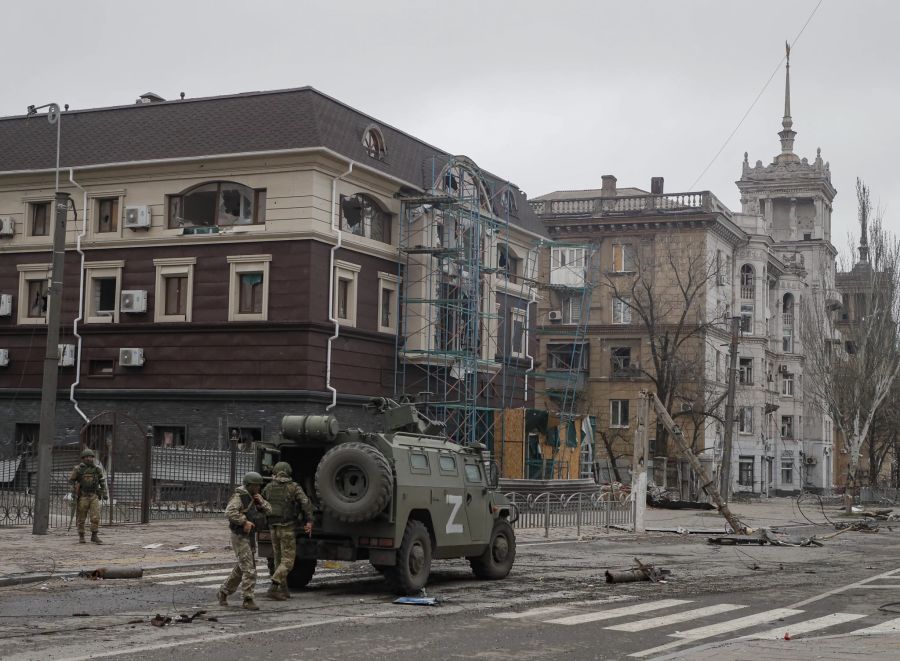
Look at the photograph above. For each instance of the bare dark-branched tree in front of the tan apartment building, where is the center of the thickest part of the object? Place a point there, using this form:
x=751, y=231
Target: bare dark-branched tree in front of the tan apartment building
x=665, y=293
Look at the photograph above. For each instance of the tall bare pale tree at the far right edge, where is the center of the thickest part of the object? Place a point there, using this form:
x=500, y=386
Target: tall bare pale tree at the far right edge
x=850, y=372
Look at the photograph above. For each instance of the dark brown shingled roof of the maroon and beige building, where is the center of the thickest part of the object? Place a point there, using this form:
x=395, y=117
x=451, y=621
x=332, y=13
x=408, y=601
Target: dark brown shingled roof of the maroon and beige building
x=234, y=124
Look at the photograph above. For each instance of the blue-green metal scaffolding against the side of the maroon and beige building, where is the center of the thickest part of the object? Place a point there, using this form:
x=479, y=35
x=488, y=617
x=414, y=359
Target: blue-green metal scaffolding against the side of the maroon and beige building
x=465, y=302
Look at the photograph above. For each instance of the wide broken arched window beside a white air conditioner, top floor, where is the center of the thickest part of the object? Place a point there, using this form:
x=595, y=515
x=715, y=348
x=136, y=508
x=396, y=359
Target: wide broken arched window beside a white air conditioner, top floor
x=217, y=204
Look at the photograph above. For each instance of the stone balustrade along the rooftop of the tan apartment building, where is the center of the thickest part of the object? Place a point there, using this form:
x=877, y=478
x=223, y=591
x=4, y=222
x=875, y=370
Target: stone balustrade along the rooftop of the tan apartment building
x=631, y=205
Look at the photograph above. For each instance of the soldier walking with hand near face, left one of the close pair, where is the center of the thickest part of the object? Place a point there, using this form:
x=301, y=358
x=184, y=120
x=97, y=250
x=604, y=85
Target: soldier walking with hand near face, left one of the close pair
x=246, y=511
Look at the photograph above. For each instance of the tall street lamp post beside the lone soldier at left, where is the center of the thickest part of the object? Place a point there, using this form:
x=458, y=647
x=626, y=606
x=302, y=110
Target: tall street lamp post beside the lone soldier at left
x=41, y=515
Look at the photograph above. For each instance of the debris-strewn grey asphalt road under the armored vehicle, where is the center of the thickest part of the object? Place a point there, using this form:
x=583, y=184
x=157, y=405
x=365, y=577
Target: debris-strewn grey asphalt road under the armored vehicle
x=555, y=604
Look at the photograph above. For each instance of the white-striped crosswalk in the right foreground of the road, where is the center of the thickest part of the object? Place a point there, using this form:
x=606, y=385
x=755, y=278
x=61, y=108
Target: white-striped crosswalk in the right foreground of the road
x=710, y=621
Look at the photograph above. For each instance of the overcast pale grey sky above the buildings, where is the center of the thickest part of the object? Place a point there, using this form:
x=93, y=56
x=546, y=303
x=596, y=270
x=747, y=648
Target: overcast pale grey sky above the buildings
x=550, y=95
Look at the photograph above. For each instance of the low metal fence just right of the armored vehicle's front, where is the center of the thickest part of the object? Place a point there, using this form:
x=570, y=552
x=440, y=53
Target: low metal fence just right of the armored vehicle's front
x=595, y=510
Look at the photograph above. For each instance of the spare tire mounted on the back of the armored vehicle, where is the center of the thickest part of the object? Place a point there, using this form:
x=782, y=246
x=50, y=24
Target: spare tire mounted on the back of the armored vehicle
x=354, y=482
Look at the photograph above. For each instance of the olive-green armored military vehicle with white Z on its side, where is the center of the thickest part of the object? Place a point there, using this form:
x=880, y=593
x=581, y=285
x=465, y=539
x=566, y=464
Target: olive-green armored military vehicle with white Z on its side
x=397, y=498
